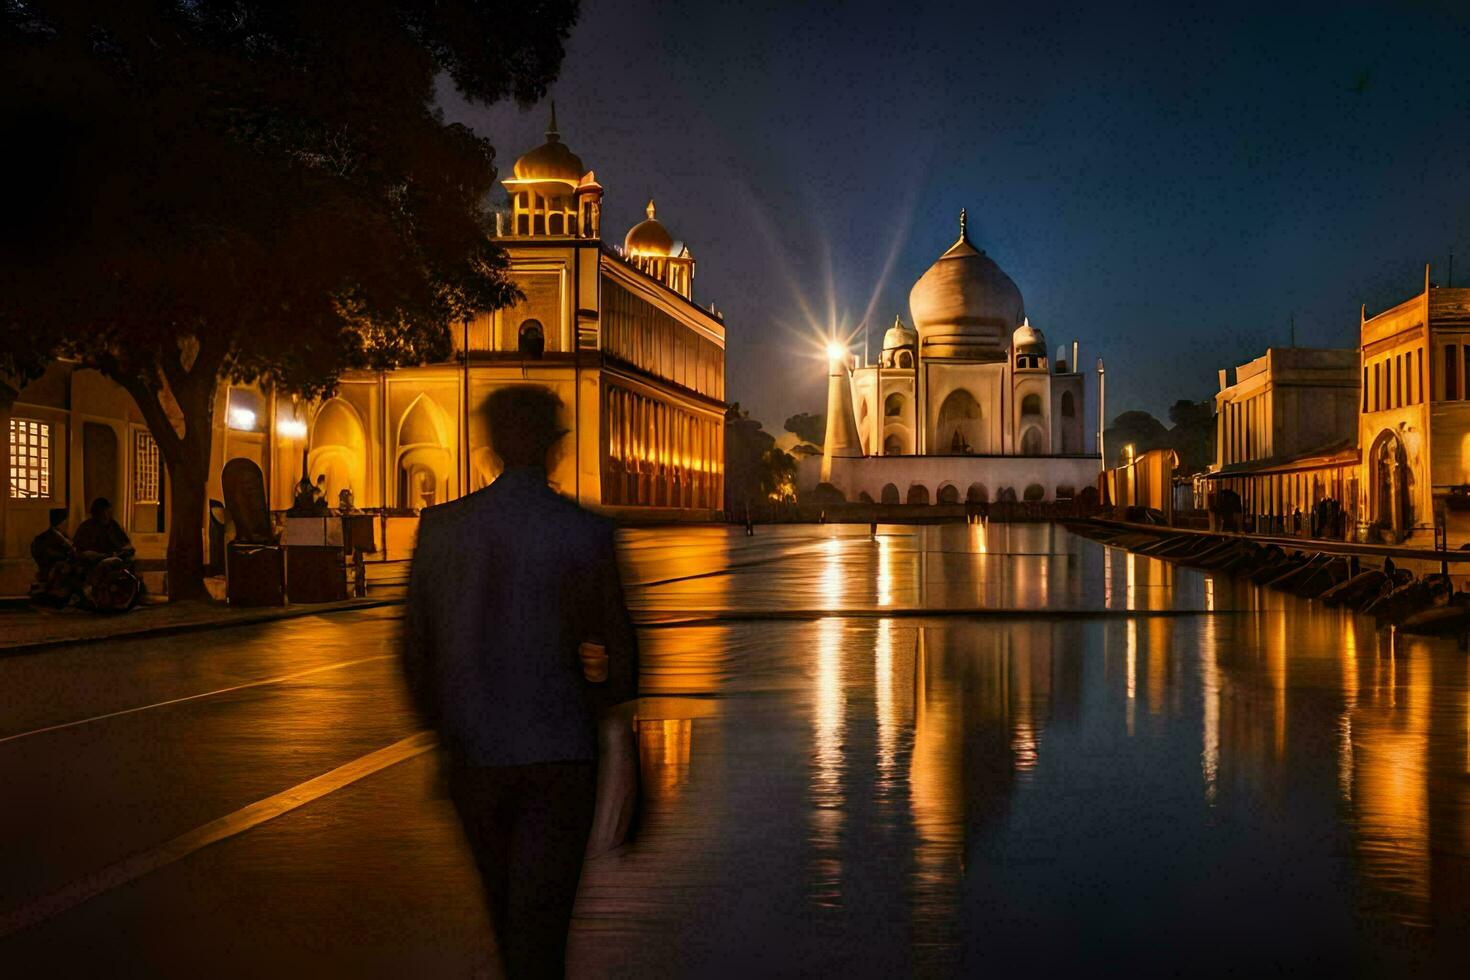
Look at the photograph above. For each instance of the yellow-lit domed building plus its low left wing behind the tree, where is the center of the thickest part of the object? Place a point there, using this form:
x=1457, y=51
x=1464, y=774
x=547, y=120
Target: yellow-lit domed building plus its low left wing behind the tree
x=612, y=328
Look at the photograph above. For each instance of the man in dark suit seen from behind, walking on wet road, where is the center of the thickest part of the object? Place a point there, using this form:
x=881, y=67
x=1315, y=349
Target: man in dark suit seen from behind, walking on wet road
x=506, y=586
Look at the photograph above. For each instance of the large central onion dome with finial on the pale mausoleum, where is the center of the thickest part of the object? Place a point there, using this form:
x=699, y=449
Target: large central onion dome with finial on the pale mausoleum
x=965, y=306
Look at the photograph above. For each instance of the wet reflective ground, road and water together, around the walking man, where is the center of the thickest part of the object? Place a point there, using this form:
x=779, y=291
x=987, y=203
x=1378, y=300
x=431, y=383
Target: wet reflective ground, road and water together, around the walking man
x=942, y=752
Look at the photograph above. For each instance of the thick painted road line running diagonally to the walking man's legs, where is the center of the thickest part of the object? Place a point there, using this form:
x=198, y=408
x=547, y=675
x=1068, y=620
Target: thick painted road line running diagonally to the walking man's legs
x=258, y=813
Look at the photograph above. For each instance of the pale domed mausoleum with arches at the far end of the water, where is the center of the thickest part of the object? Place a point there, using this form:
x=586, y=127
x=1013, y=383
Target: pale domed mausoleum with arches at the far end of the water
x=965, y=405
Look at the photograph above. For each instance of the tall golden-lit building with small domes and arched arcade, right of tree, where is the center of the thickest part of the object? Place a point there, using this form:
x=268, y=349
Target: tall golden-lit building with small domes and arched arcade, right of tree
x=611, y=328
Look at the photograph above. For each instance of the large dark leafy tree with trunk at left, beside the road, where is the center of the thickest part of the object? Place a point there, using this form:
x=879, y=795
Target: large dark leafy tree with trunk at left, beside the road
x=251, y=192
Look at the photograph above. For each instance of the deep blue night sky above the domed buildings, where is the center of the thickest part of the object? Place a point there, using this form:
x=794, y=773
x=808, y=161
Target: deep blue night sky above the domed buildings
x=1165, y=183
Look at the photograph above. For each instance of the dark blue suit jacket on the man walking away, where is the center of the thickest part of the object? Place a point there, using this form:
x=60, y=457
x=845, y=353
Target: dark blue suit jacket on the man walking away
x=506, y=586
